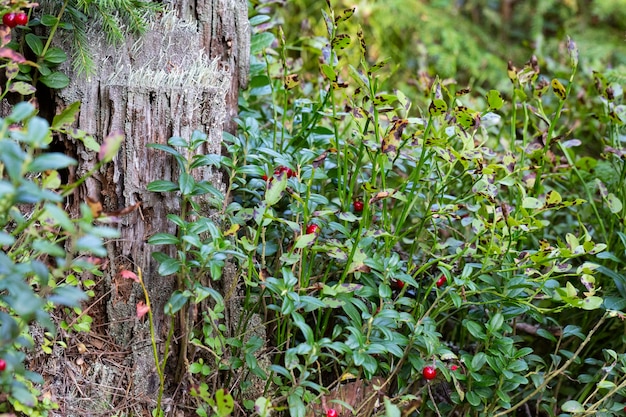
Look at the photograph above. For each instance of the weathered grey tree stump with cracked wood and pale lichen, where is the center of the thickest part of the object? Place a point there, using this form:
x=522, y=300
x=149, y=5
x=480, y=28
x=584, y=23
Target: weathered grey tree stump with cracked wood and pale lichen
x=184, y=74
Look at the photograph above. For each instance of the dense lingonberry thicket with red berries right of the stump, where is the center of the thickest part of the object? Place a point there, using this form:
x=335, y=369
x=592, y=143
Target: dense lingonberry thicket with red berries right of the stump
x=469, y=230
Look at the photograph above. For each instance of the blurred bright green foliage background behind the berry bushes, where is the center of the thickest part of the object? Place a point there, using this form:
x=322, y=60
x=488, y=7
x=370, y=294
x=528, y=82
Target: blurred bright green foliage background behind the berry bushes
x=470, y=41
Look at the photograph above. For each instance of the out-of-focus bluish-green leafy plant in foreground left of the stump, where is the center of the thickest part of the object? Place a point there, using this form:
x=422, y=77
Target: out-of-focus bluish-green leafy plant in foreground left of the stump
x=44, y=249
